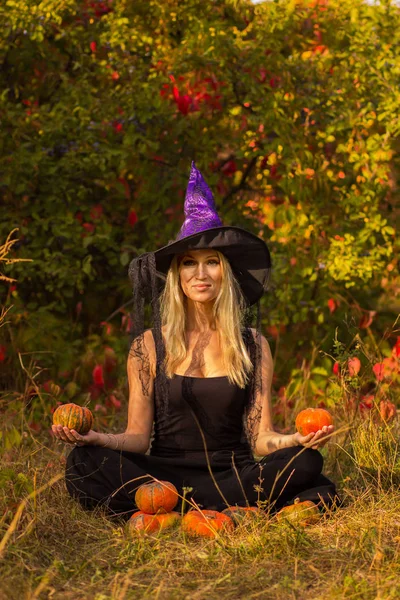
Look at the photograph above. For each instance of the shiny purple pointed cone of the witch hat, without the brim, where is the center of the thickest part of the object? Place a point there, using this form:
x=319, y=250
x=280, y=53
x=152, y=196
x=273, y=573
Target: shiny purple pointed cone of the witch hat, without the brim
x=200, y=211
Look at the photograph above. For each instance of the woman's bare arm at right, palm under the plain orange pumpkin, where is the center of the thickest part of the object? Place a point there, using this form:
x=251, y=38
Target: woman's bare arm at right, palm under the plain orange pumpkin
x=266, y=439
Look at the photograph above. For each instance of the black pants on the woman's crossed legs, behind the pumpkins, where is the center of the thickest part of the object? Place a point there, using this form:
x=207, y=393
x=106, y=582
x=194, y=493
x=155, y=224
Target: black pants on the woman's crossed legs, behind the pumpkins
x=102, y=477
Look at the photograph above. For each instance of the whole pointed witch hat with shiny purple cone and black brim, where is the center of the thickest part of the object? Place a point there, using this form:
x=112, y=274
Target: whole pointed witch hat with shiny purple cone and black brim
x=248, y=254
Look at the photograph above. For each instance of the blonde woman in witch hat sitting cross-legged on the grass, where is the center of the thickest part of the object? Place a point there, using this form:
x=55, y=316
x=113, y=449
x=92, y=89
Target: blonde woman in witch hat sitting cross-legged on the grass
x=204, y=379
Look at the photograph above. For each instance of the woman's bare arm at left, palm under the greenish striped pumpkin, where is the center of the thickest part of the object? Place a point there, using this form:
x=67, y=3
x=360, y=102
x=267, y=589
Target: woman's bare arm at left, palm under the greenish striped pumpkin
x=136, y=438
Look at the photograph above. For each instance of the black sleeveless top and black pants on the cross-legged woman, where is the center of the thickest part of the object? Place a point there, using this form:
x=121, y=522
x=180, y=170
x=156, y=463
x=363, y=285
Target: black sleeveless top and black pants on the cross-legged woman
x=199, y=444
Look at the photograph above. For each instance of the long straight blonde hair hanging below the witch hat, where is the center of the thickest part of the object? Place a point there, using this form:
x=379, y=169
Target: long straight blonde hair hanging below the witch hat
x=228, y=313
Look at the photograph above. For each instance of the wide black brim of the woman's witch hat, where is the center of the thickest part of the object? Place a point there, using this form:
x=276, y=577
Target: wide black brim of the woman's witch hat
x=248, y=256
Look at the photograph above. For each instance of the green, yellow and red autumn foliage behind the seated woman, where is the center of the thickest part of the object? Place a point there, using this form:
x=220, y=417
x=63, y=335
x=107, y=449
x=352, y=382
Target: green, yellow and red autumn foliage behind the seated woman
x=289, y=110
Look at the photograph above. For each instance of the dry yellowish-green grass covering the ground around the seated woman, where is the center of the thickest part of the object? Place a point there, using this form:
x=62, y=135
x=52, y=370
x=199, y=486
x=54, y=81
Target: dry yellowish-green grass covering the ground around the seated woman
x=57, y=550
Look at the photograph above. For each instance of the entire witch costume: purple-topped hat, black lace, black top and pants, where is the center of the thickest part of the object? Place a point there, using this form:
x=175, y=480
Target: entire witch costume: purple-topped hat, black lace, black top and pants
x=203, y=427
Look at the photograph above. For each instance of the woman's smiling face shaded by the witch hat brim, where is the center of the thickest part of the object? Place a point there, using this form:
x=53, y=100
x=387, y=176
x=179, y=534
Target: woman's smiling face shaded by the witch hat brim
x=200, y=273
